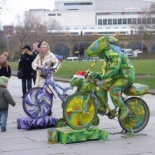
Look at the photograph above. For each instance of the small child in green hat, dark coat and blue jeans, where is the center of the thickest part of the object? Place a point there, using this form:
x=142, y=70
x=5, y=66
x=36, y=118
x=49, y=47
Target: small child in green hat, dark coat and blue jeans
x=5, y=100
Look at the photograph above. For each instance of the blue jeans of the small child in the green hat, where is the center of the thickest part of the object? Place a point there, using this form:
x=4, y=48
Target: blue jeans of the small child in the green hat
x=3, y=118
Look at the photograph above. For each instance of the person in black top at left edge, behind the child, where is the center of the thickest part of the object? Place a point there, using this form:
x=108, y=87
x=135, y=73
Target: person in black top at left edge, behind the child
x=5, y=69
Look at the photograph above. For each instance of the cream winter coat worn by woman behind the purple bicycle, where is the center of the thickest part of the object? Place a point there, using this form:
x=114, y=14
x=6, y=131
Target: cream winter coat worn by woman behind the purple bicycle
x=48, y=58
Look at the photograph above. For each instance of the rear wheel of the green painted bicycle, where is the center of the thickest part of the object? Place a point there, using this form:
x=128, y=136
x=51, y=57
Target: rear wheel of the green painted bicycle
x=138, y=116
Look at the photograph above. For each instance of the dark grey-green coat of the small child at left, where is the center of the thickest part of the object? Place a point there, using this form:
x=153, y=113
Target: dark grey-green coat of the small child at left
x=5, y=98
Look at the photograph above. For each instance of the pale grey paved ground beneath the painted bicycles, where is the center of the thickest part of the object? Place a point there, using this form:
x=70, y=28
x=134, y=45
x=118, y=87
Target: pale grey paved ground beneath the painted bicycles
x=21, y=142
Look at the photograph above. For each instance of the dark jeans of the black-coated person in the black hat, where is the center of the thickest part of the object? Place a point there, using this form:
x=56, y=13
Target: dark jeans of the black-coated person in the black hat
x=26, y=85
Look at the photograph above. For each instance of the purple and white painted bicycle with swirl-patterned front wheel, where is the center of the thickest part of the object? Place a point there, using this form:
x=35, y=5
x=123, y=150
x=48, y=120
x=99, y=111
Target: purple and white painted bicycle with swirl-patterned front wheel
x=38, y=101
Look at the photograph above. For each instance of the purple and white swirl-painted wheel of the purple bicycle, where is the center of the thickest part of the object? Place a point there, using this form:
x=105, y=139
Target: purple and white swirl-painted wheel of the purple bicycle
x=37, y=103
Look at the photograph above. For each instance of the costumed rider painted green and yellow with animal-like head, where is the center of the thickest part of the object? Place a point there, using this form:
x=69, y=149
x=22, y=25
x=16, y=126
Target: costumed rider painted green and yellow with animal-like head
x=119, y=72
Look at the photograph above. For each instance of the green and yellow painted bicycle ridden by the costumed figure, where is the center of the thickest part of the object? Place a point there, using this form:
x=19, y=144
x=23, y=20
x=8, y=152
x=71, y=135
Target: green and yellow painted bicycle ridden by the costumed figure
x=81, y=109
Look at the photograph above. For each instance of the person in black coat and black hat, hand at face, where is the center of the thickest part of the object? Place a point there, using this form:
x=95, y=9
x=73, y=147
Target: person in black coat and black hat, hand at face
x=25, y=65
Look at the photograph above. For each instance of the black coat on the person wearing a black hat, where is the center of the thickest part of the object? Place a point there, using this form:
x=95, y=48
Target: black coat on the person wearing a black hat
x=25, y=65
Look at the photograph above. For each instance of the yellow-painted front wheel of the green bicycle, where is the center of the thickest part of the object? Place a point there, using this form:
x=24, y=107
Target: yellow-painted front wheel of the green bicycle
x=80, y=110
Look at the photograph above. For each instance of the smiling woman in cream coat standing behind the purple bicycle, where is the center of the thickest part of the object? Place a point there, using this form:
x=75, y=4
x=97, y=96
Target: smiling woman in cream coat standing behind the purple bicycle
x=44, y=57
